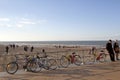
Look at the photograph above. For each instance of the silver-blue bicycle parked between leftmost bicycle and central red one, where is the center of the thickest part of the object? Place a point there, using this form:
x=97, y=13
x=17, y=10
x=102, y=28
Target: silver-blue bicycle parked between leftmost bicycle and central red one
x=38, y=63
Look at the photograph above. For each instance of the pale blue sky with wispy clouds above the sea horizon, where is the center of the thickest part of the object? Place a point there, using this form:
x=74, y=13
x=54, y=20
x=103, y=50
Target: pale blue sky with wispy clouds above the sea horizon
x=59, y=20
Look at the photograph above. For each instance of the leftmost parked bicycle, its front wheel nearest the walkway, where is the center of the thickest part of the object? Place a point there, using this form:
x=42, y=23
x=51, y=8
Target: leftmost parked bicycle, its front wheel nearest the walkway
x=12, y=67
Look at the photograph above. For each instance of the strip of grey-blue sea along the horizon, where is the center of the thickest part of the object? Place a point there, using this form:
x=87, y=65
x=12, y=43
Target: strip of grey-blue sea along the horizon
x=56, y=43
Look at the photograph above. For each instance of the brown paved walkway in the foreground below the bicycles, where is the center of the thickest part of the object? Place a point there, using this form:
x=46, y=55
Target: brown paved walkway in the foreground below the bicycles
x=102, y=71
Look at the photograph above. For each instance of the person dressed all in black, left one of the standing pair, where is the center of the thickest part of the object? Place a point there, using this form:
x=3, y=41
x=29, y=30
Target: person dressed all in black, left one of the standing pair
x=110, y=50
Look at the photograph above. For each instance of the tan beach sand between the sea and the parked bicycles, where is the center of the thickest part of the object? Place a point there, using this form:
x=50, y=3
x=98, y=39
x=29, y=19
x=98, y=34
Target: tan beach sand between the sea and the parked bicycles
x=52, y=51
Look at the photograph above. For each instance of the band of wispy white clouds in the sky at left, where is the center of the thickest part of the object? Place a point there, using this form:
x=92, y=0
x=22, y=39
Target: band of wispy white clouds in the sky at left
x=19, y=22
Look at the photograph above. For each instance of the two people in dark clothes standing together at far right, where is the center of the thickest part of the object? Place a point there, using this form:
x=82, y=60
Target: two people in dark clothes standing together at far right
x=113, y=50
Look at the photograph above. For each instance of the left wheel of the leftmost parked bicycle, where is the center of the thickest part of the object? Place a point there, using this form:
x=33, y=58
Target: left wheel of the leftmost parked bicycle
x=12, y=67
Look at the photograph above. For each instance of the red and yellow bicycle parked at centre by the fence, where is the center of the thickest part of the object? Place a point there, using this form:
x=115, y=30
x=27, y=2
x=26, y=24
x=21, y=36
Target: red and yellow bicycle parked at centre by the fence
x=65, y=61
